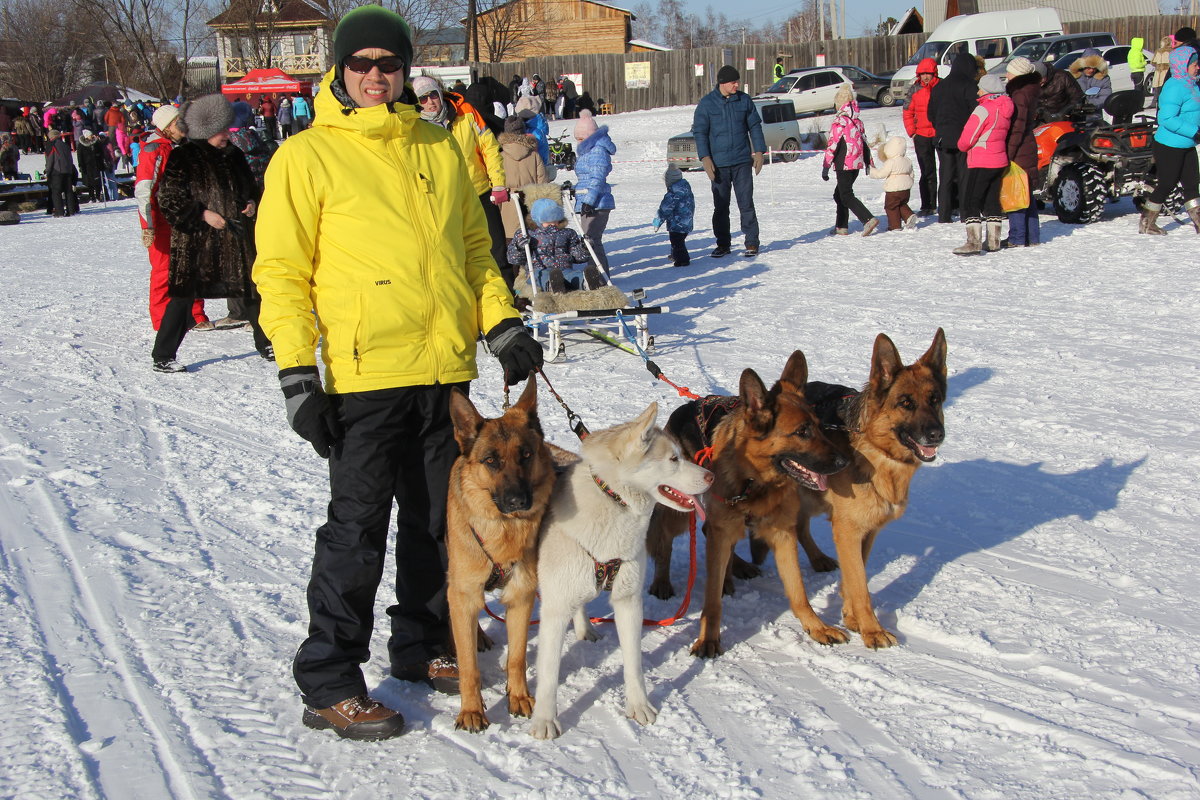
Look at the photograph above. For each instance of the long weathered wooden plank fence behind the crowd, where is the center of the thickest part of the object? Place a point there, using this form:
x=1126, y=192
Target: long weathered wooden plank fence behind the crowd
x=674, y=79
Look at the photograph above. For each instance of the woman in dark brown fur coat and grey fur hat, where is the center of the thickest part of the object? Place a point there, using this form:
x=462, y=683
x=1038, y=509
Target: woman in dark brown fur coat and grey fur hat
x=209, y=197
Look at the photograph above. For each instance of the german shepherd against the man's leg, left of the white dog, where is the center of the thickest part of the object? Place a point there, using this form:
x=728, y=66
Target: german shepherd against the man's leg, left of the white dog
x=500, y=490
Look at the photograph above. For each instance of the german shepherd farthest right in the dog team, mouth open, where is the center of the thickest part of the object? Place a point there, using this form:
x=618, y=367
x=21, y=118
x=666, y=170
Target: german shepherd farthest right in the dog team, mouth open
x=890, y=429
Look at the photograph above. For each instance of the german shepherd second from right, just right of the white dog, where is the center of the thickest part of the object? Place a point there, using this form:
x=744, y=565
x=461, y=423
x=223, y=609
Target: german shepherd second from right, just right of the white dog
x=765, y=452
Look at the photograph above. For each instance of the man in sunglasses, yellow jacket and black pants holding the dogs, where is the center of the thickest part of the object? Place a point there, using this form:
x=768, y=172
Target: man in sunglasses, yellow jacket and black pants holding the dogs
x=371, y=239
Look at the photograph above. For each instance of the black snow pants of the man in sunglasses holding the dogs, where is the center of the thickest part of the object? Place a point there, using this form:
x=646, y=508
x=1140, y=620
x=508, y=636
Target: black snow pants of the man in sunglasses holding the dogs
x=399, y=446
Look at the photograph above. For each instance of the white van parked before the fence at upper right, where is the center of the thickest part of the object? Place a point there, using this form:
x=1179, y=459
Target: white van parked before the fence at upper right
x=993, y=35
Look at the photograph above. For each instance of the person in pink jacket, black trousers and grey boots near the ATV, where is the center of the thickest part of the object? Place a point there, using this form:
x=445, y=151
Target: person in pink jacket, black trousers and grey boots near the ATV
x=983, y=141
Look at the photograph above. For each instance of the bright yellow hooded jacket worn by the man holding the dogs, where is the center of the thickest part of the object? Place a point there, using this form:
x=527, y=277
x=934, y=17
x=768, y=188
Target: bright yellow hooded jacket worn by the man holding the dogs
x=370, y=220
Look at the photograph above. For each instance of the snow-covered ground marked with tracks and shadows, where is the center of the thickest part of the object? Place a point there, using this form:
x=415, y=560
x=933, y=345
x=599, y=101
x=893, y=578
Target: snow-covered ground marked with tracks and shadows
x=157, y=532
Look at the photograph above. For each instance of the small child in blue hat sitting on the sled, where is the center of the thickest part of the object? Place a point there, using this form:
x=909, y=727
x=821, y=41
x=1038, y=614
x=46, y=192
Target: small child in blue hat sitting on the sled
x=555, y=250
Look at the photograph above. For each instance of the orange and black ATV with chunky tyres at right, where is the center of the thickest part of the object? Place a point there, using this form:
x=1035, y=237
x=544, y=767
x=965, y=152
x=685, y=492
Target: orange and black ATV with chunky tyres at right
x=1087, y=163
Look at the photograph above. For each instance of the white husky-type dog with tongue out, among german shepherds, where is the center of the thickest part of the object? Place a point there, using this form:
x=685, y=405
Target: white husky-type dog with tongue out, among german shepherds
x=595, y=539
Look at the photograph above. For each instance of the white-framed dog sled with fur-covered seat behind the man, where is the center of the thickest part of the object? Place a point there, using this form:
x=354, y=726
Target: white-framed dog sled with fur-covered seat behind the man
x=601, y=311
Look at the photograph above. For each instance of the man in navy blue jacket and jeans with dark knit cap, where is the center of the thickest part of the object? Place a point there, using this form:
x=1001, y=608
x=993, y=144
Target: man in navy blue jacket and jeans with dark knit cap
x=730, y=143
